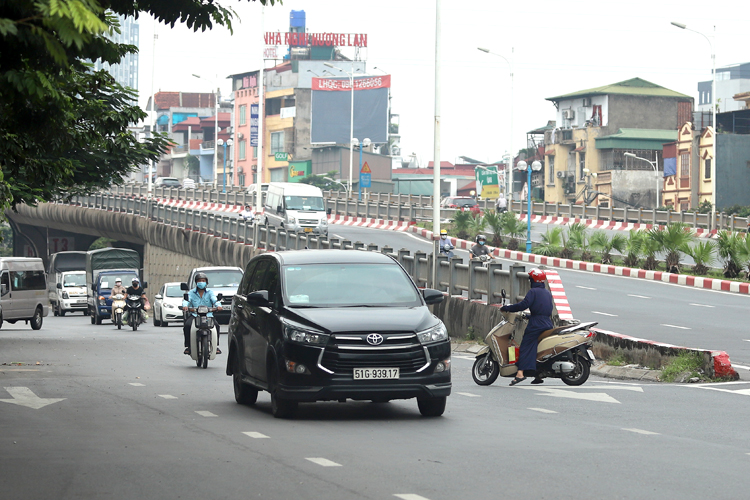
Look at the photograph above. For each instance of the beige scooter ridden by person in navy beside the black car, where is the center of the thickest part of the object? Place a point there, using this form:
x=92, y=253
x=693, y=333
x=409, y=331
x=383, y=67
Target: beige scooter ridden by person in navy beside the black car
x=563, y=352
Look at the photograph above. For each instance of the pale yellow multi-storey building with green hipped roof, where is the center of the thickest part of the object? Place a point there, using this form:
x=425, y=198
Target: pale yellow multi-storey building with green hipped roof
x=585, y=159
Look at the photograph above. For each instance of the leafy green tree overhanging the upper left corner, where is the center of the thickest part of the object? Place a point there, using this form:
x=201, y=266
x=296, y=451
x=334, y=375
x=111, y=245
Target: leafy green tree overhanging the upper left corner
x=63, y=126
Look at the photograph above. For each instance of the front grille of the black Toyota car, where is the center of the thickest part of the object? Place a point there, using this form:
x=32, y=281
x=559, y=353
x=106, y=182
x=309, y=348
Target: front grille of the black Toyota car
x=347, y=351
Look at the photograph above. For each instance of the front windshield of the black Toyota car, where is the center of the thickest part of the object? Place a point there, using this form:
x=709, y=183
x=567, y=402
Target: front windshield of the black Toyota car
x=349, y=285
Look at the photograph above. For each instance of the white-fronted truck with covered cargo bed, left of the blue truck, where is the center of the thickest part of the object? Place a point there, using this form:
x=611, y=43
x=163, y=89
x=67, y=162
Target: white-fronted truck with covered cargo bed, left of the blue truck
x=66, y=282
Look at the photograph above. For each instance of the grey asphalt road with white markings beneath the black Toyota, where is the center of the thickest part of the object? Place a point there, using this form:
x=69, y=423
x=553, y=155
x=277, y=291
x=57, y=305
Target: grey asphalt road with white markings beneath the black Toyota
x=136, y=419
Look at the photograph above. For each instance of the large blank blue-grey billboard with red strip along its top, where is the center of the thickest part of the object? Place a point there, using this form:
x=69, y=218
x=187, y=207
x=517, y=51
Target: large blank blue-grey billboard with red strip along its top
x=331, y=109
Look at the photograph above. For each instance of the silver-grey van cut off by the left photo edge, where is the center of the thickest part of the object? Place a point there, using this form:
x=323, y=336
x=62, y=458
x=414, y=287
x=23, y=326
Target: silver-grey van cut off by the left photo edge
x=23, y=291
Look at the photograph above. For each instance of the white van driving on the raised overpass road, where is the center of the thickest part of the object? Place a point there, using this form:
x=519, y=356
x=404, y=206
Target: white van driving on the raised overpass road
x=296, y=207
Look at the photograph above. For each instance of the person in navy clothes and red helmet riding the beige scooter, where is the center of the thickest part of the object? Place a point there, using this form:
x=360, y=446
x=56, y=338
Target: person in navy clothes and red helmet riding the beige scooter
x=538, y=301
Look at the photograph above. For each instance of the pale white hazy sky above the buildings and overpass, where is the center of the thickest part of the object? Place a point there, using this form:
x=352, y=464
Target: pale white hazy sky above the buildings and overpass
x=558, y=47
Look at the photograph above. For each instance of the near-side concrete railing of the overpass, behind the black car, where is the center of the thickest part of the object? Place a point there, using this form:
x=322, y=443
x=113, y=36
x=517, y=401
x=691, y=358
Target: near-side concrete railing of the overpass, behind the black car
x=474, y=280
